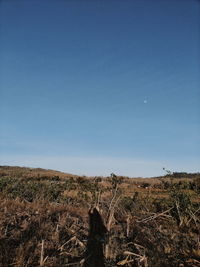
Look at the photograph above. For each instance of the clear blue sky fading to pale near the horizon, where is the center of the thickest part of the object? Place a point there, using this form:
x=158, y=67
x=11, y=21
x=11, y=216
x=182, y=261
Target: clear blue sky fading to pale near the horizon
x=94, y=87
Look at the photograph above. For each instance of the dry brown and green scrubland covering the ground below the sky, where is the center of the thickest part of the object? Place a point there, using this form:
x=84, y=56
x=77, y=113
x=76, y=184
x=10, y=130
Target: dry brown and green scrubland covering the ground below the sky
x=150, y=222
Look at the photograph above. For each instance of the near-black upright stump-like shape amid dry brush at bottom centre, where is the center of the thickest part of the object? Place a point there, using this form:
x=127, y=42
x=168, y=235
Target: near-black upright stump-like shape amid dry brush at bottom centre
x=94, y=256
